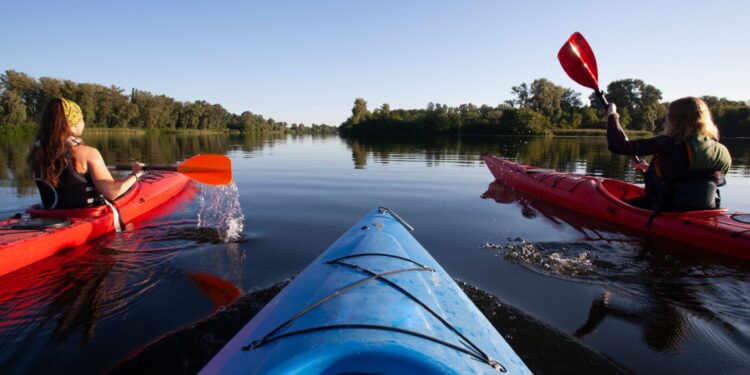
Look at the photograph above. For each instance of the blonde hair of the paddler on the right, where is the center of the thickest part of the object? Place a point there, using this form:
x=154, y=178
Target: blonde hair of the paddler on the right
x=690, y=115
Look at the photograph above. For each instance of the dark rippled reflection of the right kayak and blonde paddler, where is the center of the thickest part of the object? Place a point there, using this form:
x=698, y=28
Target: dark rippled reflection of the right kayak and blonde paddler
x=660, y=292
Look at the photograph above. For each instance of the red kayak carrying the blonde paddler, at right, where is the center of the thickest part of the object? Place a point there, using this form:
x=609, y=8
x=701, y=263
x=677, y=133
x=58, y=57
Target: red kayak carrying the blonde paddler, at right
x=606, y=199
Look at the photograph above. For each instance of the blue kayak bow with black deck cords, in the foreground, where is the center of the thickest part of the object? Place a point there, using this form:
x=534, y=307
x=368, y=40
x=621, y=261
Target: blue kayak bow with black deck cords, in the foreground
x=374, y=302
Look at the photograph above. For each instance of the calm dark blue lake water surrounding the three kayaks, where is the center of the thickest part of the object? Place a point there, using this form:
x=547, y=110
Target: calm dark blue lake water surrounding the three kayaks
x=643, y=303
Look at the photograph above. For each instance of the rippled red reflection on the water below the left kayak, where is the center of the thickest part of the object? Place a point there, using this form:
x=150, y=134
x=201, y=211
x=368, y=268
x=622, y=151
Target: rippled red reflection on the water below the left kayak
x=71, y=293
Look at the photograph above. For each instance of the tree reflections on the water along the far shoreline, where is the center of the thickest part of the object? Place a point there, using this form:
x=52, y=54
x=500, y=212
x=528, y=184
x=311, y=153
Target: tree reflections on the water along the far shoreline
x=575, y=154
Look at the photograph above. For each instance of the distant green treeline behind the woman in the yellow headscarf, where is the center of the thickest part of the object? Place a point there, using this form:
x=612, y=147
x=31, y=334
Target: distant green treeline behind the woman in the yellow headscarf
x=22, y=99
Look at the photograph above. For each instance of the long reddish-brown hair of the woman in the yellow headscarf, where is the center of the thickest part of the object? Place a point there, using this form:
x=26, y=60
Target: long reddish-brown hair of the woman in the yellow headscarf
x=50, y=154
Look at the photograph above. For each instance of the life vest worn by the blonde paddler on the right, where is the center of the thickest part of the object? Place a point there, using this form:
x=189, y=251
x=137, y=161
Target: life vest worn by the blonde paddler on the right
x=698, y=190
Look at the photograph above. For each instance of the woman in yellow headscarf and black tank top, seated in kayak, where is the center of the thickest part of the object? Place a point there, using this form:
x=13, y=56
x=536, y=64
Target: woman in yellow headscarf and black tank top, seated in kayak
x=68, y=173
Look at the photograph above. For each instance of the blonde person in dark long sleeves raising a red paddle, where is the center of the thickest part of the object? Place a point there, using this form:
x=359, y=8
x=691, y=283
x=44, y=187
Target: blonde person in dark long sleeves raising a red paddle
x=689, y=163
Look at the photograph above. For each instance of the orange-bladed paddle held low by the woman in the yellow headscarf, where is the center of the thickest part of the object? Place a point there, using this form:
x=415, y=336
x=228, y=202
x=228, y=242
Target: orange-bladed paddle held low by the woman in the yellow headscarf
x=209, y=169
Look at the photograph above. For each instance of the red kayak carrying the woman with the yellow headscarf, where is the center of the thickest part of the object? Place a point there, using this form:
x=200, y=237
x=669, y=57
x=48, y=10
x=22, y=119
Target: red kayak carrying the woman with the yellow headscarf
x=25, y=241
